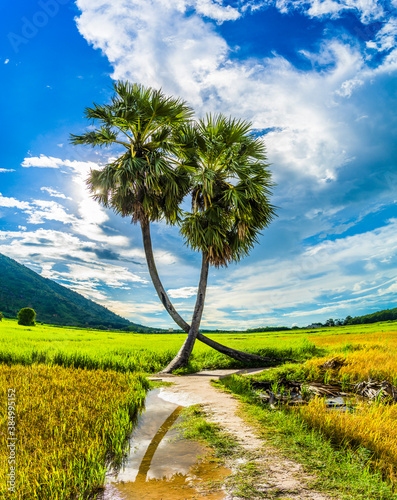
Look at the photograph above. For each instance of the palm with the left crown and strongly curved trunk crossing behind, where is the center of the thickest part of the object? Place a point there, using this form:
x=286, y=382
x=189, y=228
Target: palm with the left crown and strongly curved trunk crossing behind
x=147, y=181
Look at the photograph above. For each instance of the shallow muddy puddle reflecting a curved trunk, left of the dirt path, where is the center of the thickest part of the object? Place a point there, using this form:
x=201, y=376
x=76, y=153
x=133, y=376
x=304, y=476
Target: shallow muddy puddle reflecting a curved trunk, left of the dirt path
x=160, y=465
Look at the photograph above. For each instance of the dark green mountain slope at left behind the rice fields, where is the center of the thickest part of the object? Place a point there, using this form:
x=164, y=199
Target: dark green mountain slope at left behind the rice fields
x=54, y=304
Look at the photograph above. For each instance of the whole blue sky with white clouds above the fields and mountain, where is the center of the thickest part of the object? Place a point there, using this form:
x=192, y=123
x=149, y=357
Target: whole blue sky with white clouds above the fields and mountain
x=316, y=78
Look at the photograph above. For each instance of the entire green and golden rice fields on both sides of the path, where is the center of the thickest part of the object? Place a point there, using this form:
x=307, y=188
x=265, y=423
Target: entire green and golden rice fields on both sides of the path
x=77, y=391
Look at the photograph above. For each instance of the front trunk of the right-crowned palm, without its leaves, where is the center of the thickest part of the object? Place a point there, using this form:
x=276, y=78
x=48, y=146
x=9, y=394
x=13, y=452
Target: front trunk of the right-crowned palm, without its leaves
x=182, y=358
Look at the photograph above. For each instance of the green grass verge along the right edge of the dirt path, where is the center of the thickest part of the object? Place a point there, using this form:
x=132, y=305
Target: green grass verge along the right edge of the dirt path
x=341, y=470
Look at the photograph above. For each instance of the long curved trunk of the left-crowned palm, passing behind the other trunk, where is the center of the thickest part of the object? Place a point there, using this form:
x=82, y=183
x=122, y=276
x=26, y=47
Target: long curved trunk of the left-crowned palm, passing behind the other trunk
x=233, y=353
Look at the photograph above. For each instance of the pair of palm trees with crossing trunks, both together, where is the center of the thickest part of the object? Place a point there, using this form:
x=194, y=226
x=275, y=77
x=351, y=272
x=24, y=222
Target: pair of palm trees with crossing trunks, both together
x=165, y=157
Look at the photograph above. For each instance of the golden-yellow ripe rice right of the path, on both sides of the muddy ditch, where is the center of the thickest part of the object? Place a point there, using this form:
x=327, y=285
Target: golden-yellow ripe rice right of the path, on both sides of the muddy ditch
x=370, y=426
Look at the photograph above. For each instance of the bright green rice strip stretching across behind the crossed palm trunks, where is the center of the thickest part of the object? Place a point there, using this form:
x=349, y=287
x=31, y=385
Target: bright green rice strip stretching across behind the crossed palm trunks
x=129, y=352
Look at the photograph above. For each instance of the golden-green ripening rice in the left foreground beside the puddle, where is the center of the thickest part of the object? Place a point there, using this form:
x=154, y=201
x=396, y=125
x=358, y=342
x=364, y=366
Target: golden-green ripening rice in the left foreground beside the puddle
x=69, y=424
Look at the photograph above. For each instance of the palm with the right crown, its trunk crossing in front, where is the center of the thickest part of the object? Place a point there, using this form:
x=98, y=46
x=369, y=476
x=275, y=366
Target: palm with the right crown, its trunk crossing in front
x=230, y=201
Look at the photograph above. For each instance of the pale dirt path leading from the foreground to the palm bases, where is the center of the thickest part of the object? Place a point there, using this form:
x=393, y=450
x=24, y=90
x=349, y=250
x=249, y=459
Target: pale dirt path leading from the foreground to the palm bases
x=279, y=477
